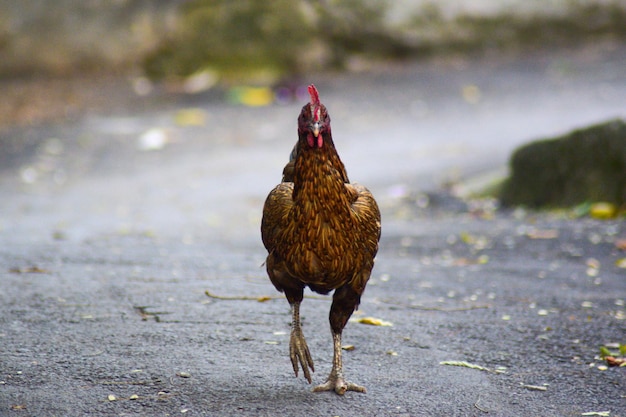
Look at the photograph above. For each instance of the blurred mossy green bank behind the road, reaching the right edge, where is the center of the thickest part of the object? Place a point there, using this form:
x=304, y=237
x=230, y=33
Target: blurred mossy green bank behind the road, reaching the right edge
x=263, y=41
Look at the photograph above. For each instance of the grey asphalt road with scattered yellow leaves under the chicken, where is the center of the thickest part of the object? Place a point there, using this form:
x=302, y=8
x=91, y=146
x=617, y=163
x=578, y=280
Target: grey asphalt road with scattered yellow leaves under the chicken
x=113, y=225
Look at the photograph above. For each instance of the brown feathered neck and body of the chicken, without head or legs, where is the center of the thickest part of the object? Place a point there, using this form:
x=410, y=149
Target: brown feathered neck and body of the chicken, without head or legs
x=320, y=230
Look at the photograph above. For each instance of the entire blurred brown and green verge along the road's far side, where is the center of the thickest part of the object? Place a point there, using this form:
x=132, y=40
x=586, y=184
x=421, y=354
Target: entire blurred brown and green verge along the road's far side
x=197, y=44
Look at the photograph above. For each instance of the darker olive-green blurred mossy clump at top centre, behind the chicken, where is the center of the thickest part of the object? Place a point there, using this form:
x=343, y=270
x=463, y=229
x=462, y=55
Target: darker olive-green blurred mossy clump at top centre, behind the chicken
x=249, y=39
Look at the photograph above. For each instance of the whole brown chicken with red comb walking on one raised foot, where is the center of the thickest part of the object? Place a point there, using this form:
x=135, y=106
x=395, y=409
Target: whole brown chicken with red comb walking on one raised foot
x=321, y=232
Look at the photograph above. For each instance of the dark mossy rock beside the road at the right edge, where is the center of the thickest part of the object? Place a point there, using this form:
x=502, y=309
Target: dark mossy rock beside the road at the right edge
x=586, y=165
